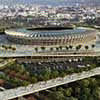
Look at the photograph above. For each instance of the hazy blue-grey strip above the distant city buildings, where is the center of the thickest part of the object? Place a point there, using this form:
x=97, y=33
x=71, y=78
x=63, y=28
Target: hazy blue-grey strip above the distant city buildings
x=52, y=3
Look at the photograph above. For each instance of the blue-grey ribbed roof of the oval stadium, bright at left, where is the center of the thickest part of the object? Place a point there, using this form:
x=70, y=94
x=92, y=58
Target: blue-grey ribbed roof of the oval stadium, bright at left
x=46, y=33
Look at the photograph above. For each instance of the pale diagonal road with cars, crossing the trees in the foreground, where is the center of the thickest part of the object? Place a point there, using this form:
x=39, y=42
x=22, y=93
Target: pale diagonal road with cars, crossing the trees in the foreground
x=32, y=88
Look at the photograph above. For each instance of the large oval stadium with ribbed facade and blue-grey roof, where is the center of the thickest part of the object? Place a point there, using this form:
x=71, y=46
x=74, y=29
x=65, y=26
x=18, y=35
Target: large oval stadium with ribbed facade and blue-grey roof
x=78, y=36
